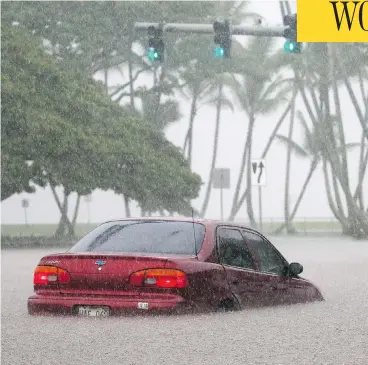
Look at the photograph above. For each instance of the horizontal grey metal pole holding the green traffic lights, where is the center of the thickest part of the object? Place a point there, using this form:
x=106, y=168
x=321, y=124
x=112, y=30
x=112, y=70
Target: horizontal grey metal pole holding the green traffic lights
x=249, y=30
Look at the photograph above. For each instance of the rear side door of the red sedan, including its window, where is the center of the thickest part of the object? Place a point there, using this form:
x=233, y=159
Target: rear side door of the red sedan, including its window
x=238, y=263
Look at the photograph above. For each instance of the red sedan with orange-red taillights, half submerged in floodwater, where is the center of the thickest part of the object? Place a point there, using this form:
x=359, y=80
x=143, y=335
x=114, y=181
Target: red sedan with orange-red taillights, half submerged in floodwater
x=171, y=265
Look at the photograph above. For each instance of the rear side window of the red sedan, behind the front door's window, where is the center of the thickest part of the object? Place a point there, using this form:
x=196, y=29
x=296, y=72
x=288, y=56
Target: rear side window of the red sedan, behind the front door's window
x=233, y=249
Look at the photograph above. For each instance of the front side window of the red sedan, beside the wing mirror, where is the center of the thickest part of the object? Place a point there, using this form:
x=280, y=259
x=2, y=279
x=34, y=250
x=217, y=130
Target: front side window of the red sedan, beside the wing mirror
x=269, y=259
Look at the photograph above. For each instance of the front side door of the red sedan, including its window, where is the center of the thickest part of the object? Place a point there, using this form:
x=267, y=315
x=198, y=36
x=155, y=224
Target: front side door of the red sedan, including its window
x=272, y=270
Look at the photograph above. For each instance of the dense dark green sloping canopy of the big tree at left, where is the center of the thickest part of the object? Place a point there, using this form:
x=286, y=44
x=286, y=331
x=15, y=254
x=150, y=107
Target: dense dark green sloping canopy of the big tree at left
x=77, y=137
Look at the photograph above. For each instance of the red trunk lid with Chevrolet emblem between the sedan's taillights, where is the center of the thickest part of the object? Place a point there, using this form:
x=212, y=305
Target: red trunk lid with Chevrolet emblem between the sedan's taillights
x=103, y=274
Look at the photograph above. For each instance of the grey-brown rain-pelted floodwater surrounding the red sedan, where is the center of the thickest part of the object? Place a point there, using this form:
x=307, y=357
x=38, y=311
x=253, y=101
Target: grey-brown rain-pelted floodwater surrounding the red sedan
x=332, y=332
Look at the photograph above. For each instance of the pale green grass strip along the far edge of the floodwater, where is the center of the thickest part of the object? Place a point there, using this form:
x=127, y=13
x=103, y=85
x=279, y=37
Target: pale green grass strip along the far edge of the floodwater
x=47, y=230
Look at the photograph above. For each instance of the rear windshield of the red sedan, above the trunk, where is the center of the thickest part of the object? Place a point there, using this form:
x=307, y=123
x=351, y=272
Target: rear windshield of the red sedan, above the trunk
x=167, y=237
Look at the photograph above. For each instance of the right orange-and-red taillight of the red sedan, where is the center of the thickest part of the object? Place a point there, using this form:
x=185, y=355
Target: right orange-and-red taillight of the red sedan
x=159, y=278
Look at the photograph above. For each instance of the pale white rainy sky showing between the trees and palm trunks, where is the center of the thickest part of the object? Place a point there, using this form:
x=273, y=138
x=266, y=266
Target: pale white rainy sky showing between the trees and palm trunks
x=107, y=205
